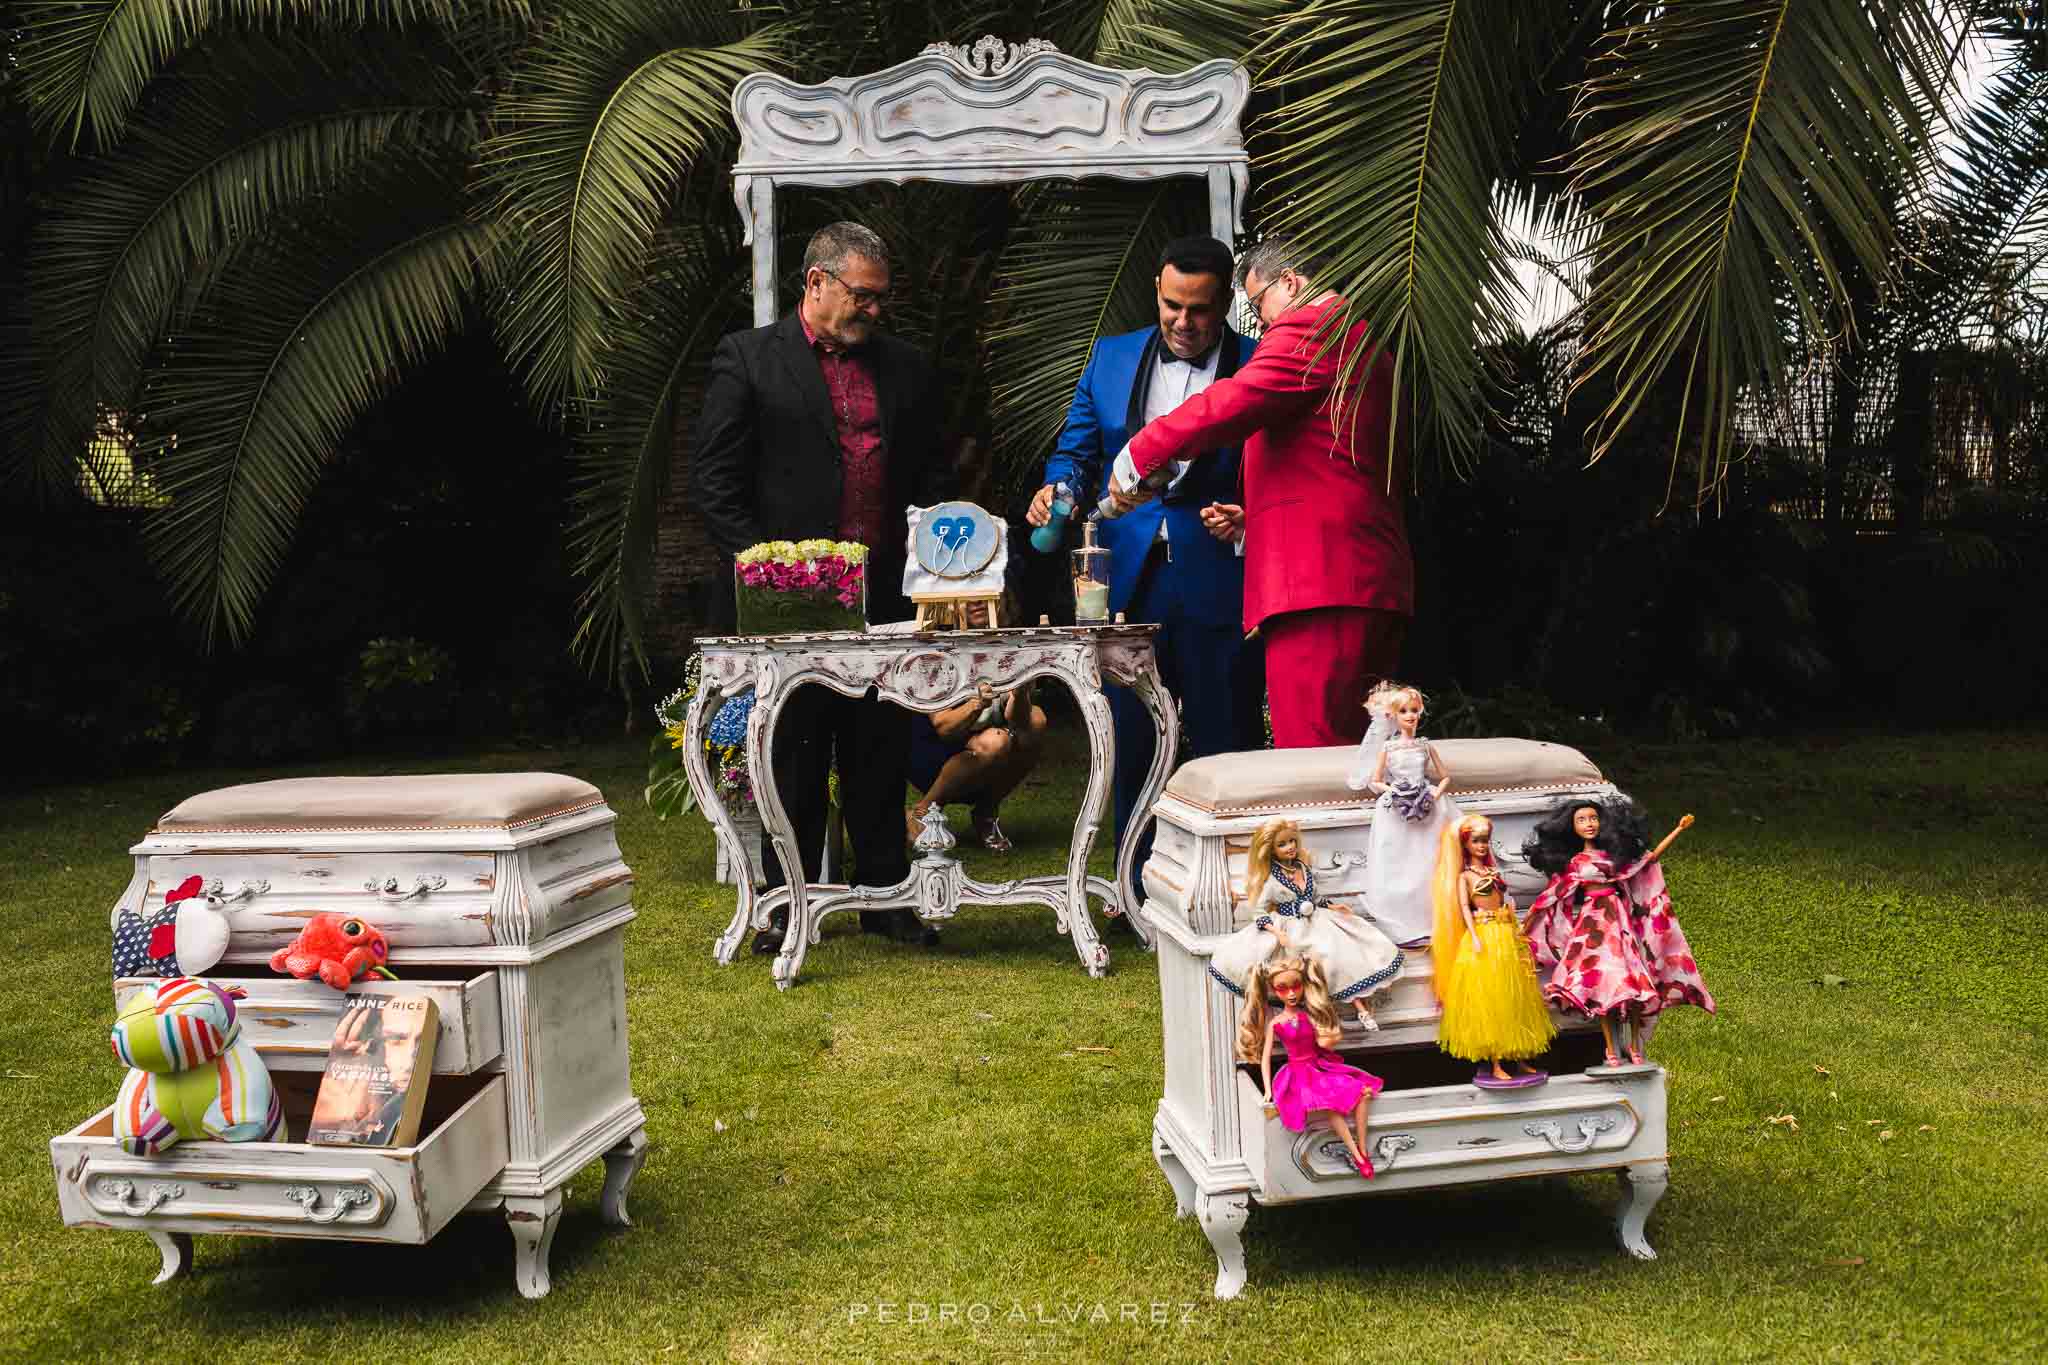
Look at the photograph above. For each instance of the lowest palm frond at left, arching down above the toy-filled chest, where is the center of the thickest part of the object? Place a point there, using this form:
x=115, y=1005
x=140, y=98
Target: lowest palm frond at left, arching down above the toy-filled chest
x=288, y=347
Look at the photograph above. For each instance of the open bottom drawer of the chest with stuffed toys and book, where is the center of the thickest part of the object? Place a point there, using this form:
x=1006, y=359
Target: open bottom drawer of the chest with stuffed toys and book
x=292, y=1188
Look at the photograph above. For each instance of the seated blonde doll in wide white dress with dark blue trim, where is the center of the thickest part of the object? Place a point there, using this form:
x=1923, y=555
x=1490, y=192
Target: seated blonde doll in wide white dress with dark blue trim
x=1287, y=916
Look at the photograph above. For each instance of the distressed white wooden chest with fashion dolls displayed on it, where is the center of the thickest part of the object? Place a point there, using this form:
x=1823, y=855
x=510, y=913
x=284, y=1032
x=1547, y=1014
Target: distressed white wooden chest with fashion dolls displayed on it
x=1431, y=1127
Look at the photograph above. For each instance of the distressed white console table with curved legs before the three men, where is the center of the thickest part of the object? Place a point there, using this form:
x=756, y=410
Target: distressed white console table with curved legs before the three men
x=931, y=672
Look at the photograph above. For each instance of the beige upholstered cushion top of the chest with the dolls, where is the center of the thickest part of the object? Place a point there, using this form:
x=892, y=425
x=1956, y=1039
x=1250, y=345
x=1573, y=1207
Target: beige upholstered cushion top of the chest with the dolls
x=1273, y=779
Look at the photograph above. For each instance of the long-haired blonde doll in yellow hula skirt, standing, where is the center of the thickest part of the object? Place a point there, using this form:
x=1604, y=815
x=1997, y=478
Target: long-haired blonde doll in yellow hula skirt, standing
x=1486, y=975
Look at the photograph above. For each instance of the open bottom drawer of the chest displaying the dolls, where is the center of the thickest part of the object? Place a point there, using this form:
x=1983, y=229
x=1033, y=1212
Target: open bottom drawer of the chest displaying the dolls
x=1453, y=1135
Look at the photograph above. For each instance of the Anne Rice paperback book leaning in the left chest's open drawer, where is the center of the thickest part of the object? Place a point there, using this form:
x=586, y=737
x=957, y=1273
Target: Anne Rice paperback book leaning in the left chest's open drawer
x=378, y=1069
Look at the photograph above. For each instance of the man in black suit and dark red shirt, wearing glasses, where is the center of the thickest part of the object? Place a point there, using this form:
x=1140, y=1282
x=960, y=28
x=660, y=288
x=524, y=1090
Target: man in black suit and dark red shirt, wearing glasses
x=824, y=427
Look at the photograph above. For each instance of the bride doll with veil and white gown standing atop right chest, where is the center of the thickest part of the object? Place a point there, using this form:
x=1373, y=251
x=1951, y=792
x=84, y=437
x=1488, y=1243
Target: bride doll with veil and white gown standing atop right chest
x=1404, y=773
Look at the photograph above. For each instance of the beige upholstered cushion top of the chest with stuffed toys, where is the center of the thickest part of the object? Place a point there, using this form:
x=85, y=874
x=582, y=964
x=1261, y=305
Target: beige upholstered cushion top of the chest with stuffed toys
x=427, y=801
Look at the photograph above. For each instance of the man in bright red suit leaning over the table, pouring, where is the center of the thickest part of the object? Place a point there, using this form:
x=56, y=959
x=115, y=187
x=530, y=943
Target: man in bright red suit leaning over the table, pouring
x=1330, y=582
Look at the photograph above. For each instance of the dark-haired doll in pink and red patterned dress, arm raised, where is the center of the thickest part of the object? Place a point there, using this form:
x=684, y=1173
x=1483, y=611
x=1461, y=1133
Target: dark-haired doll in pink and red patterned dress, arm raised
x=1603, y=932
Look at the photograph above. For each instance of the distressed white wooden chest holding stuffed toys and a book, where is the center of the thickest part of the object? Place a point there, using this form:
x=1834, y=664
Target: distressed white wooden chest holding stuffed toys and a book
x=503, y=897
